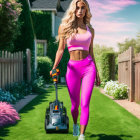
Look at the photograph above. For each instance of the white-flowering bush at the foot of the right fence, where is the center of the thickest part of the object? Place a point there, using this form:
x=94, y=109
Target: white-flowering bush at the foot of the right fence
x=118, y=91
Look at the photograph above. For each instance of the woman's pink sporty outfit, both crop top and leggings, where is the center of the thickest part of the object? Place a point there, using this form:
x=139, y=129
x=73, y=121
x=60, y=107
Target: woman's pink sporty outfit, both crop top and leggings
x=80, y=71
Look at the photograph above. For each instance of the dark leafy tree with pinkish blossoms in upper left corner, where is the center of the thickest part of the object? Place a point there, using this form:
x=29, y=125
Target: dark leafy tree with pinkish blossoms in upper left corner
x=9, y=24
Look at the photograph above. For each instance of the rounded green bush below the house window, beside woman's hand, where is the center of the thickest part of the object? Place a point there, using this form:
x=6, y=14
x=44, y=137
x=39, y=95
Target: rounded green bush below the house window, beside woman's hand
x=44, y=67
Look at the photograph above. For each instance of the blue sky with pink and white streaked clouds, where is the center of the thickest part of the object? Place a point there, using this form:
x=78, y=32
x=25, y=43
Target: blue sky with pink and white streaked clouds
x=114, y=21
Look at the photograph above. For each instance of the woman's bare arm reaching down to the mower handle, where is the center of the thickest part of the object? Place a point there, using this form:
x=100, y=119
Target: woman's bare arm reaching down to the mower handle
x=61, y=48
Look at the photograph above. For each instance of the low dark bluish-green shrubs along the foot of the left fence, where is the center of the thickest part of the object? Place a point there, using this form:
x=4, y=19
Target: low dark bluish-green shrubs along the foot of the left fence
x=20, y=89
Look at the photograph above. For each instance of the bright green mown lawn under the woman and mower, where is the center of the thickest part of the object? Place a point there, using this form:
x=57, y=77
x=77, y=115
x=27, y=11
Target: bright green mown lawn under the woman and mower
x=108, y=120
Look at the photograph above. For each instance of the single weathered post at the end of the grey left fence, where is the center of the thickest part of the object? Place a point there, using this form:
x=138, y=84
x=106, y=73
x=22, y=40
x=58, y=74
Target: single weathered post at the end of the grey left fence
x=28, y=55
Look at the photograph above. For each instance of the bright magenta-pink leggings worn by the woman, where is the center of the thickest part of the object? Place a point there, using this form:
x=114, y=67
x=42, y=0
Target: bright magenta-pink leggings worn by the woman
x=78, y=70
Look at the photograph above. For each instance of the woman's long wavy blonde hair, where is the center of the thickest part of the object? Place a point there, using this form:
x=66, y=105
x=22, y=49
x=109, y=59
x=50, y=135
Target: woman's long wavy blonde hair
x=69, y=20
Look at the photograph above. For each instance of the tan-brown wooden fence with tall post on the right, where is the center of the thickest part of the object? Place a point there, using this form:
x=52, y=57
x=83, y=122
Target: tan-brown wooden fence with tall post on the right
x=129, y=73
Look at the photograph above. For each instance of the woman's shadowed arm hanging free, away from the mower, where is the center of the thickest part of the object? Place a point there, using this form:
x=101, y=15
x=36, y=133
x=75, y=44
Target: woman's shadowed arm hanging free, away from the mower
x=91, y=48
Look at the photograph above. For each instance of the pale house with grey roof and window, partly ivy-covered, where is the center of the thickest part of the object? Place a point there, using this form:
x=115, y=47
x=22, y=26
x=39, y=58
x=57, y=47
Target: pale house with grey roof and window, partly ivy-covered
x=57, y=9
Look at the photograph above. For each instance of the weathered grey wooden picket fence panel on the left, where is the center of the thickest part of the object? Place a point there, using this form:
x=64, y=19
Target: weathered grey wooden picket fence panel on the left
x=11, y=68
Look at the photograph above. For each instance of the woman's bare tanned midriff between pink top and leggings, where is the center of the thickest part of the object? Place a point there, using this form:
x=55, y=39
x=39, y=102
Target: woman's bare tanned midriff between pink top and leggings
x=78, y=54
